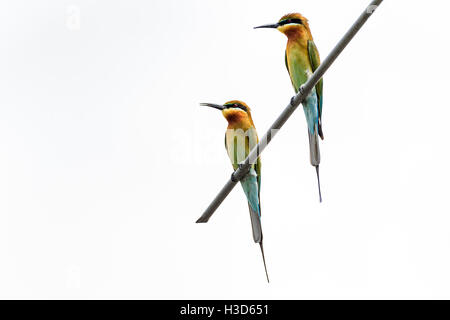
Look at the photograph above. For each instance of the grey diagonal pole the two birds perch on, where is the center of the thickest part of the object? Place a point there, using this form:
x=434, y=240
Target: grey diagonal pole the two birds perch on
x=287, y=112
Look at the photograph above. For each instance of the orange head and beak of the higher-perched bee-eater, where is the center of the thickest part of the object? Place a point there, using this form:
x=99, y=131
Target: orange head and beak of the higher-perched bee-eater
x=292, y=25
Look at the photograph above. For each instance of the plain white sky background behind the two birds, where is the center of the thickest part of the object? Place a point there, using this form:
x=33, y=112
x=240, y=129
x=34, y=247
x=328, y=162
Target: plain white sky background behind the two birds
x=107, y=160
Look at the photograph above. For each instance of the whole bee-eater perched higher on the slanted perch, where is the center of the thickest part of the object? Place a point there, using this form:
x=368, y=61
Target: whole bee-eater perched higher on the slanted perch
x=302, y=59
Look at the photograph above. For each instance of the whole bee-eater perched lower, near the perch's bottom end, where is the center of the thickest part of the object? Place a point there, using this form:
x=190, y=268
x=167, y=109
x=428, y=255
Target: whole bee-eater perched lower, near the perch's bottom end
x=240, y=138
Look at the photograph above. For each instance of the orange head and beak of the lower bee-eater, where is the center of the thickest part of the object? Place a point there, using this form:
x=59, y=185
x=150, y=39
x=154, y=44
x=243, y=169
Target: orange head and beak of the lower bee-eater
x=236, y=112
